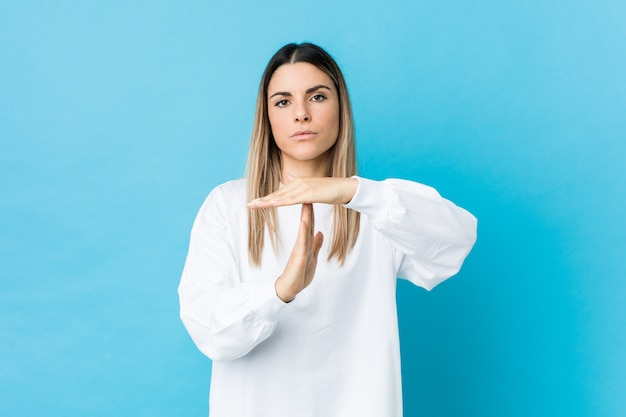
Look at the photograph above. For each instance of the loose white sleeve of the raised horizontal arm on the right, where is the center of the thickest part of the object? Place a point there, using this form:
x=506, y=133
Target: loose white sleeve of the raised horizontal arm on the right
x=431, y=235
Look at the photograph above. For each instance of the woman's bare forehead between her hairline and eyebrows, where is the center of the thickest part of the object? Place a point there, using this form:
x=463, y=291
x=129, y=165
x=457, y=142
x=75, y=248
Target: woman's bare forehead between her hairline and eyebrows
x=298, y=76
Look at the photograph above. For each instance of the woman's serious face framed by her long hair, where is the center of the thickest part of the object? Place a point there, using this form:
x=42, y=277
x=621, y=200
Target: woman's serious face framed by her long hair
x=303, y=109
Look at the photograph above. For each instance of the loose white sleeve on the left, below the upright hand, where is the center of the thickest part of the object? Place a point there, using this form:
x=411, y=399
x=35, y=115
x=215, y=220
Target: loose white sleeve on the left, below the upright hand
x=225, y=317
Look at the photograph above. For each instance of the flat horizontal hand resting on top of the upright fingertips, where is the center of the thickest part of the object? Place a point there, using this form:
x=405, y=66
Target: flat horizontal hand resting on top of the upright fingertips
x=328, y=190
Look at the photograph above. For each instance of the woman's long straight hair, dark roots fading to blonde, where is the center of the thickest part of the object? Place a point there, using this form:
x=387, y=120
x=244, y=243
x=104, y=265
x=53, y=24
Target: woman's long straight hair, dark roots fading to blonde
x=264, y=159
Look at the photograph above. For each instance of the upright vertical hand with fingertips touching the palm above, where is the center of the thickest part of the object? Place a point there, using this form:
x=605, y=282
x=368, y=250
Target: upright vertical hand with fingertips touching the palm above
x=302, y=262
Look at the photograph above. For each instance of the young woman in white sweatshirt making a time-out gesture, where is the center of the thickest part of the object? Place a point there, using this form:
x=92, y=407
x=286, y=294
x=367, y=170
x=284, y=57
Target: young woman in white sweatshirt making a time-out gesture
x=290, y=280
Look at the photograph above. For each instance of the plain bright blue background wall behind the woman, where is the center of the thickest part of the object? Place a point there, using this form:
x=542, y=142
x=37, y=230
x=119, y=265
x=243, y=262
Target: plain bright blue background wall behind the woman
x=117, y=118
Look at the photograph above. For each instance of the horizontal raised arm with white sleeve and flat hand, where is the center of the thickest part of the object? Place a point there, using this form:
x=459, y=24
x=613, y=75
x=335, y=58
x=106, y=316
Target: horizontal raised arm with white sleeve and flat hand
x=430, y=233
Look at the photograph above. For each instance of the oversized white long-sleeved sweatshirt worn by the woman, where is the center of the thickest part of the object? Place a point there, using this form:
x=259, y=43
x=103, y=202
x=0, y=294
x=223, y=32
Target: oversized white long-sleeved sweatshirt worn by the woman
x=334, y=350
